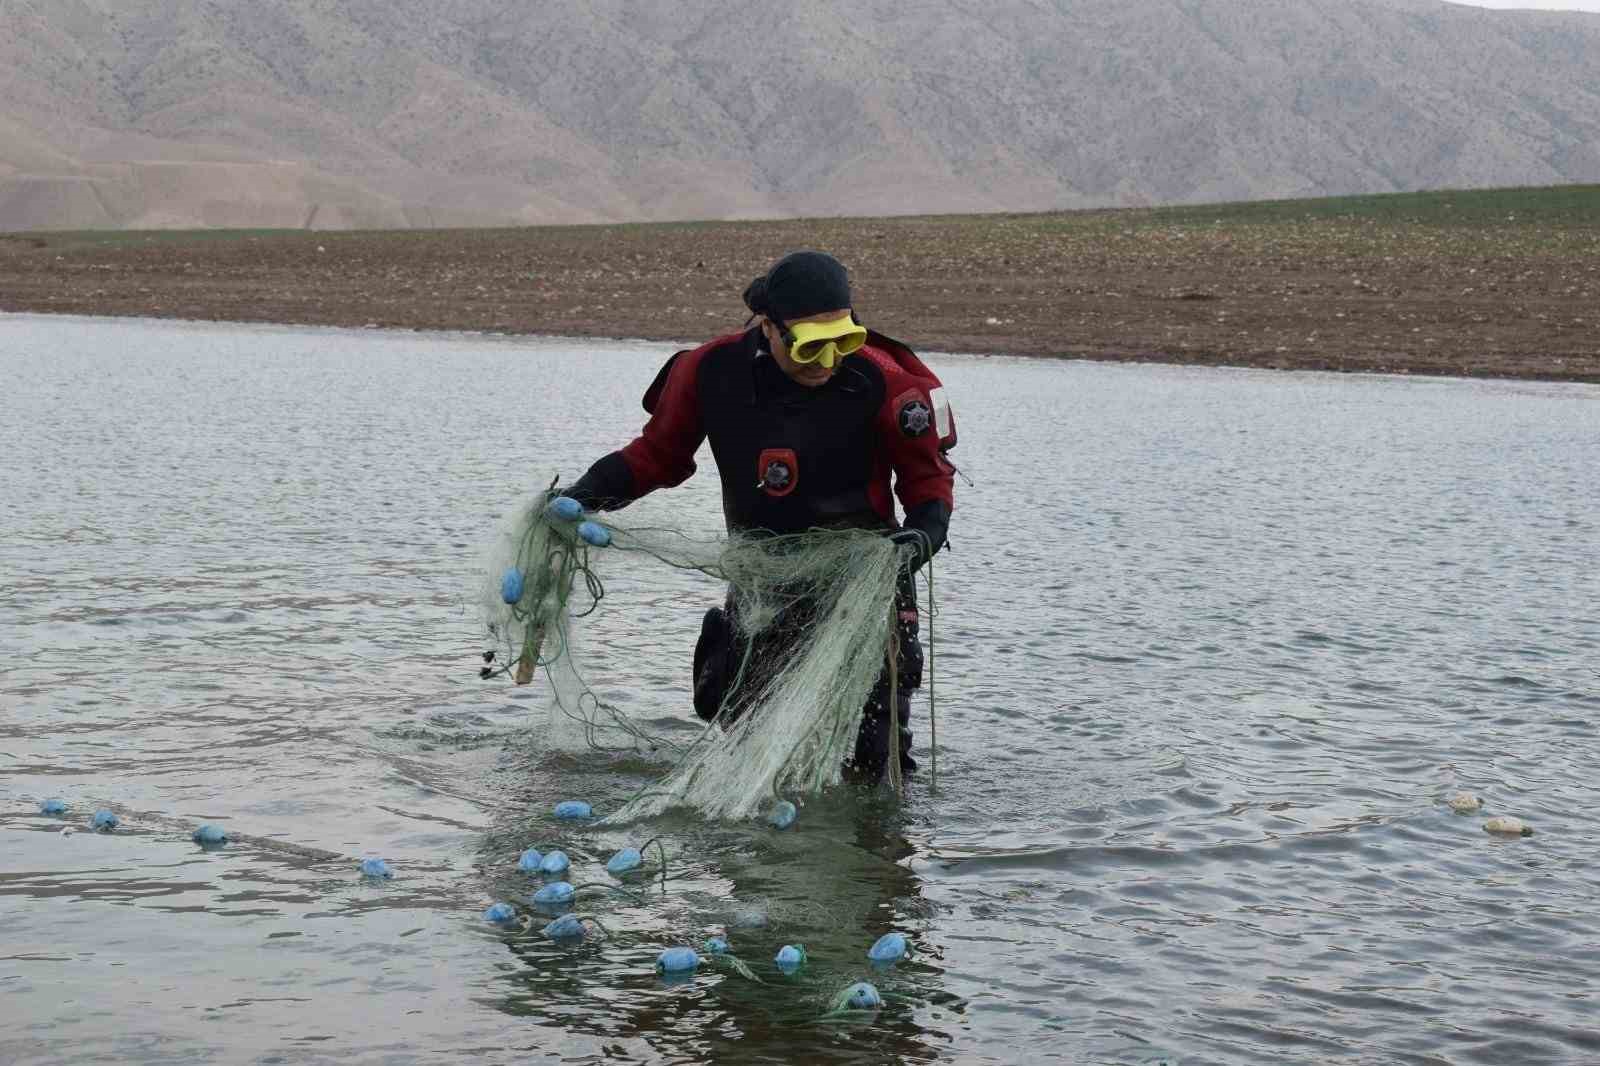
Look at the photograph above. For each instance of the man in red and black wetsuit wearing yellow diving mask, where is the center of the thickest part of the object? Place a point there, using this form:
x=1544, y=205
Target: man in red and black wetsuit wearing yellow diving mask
x=809, y=417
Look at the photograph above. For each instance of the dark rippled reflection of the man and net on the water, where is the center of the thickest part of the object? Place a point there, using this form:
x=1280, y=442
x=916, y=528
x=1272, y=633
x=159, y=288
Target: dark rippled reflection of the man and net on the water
x=834, y=884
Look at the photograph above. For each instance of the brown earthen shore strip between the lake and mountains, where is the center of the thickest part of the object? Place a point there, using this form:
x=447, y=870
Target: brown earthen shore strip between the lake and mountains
x=1441, y=284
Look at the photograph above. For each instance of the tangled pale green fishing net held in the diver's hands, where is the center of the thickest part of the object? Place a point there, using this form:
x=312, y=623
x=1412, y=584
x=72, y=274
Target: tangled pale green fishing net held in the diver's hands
x=812, y=619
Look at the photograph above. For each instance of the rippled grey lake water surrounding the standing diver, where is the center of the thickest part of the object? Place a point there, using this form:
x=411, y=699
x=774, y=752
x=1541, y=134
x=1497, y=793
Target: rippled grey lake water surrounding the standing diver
x=1214, y=651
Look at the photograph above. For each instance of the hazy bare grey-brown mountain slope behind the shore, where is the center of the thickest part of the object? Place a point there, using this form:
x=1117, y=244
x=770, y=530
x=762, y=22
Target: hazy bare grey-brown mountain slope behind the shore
x=430, y=113
